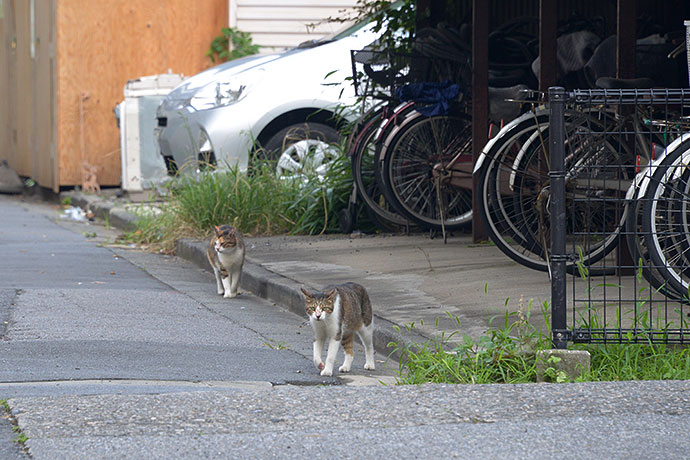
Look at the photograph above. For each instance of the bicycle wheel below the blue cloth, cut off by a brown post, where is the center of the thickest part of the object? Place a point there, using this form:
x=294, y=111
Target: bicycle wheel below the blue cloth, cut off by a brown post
x=414, y=170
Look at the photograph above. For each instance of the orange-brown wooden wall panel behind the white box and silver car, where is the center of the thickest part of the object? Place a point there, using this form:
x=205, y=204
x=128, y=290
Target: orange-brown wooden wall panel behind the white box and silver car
x=101, y=45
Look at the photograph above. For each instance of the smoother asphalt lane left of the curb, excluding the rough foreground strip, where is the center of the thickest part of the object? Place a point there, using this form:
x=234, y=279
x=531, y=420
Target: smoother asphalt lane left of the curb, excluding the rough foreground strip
x=81, y=316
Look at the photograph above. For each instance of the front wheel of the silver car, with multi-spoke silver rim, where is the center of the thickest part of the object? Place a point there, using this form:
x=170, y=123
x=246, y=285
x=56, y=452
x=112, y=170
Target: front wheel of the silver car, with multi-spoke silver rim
x=301, y=148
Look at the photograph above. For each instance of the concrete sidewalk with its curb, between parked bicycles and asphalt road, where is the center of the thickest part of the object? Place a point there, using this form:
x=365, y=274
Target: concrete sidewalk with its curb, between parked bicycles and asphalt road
x=439, y=289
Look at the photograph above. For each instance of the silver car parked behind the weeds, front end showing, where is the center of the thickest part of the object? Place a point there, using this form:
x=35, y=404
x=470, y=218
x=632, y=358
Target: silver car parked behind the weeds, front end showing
x=288, y=103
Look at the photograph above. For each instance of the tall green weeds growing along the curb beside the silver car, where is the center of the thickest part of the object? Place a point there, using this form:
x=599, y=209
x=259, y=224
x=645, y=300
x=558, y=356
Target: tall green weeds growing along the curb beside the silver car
x=257, y=204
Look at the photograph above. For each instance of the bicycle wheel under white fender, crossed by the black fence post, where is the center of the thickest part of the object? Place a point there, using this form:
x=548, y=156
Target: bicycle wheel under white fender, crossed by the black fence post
x=514, y=189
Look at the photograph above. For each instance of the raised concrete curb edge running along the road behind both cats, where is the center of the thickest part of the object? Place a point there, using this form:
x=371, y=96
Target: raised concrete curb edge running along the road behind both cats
x=256, y=279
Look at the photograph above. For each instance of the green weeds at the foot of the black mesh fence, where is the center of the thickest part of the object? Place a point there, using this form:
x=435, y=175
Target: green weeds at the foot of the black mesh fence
x=506, y=354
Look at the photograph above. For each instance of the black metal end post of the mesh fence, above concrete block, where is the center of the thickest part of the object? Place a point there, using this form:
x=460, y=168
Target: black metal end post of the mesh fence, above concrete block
x=558, y=257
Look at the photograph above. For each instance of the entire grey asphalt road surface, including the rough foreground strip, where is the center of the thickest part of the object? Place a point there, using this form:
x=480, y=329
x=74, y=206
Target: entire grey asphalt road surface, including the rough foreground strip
x=110, y=353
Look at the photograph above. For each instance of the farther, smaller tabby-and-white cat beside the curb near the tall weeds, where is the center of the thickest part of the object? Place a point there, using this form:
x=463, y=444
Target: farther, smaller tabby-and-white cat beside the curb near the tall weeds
x=226, y=255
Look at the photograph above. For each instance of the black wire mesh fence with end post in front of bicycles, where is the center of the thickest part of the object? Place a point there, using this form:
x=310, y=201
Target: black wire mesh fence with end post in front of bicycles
x=618, y=194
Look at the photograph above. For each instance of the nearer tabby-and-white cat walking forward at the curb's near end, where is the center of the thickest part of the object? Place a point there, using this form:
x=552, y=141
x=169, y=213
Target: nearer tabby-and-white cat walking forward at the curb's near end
x=336, y=315
